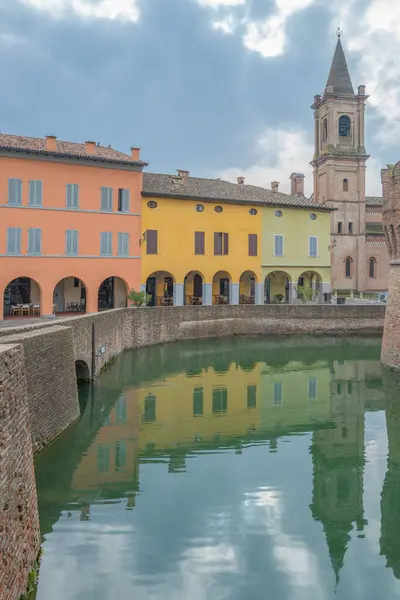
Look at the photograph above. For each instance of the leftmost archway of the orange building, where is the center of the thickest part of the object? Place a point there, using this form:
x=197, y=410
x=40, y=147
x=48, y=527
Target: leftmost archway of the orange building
x=22, y=298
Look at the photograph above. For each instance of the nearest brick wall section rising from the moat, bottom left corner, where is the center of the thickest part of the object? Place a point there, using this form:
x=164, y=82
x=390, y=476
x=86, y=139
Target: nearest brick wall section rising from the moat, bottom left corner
x=19, y=523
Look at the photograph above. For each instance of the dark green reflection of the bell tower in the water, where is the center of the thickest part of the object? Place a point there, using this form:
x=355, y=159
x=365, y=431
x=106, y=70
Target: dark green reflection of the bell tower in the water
x=338, y=465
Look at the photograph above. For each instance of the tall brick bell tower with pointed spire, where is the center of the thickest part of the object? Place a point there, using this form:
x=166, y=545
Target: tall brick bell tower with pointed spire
x=339, y=164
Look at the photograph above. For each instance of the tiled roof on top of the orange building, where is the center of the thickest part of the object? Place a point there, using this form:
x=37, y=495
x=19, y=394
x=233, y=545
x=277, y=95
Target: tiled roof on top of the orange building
x=67, y=149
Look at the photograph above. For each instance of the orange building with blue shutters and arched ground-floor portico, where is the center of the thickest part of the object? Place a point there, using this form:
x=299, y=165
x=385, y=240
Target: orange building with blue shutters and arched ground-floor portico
x=70, y=226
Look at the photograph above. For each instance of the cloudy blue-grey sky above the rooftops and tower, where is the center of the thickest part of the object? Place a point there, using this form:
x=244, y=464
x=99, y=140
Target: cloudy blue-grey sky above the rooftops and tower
x=222, y=88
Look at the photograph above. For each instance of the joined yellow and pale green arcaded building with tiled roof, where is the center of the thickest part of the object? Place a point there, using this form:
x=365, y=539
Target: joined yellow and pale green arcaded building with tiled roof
x=208, y=241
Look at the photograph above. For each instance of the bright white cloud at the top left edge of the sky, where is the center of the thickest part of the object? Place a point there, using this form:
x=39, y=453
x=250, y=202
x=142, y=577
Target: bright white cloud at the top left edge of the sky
x=102, y=9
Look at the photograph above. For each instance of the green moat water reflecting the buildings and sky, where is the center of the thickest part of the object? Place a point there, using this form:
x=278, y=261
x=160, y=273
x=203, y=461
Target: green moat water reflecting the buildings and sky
x=237, y=469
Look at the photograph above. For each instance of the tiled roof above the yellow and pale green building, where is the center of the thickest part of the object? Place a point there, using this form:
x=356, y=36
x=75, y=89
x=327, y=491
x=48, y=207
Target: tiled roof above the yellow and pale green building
x=156, y=184
